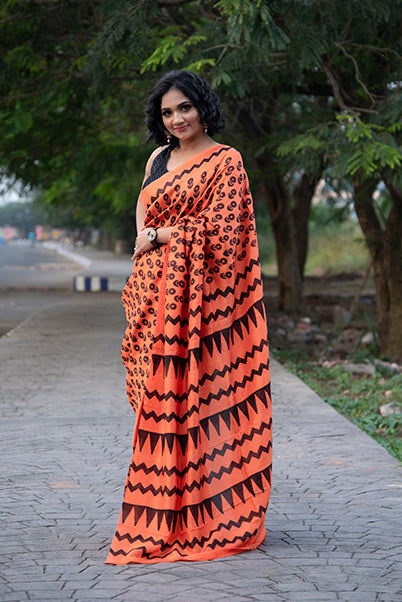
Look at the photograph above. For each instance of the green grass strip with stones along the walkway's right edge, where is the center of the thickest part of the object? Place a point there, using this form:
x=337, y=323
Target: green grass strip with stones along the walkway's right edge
x=358, y=397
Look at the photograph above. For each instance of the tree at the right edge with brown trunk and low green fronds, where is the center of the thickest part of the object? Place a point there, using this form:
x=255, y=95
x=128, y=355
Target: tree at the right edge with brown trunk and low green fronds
x=368, y=154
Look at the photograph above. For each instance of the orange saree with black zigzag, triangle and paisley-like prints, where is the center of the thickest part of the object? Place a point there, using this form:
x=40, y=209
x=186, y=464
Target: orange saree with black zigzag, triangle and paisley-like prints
x=196, y=355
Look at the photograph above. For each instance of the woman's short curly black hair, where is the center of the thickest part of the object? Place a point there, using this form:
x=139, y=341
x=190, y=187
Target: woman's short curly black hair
x=197, y=90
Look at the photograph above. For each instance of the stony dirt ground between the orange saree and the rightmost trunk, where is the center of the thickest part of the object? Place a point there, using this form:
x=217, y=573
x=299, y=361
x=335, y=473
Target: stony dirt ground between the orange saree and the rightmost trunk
x=333, y=323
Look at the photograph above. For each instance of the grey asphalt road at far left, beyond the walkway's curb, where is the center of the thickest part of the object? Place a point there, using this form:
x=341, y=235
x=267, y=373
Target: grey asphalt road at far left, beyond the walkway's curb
x=31, y=277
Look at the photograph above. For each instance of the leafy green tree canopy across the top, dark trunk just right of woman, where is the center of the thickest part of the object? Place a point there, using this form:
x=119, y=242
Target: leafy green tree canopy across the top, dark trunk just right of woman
x=281, y=66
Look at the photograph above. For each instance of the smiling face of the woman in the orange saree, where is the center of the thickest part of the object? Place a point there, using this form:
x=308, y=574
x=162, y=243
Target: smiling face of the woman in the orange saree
x=180, y=117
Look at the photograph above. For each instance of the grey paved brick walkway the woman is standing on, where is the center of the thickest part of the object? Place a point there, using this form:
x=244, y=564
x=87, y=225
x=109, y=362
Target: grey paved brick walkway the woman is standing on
x=334, y=520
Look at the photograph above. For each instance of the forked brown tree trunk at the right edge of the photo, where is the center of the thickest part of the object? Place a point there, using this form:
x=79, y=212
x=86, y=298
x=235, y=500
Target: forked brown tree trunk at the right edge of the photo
x=385, y=248
